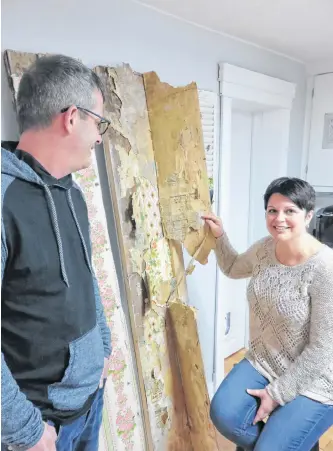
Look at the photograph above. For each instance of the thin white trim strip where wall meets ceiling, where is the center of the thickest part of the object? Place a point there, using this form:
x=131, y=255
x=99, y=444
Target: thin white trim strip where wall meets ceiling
x=211, y=30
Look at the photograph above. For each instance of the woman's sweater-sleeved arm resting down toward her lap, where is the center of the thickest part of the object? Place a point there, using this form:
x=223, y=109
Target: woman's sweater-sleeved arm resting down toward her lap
x=317, y=356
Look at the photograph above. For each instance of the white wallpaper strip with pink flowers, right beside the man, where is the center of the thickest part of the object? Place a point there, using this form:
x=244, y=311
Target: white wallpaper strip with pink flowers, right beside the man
x=122, y=428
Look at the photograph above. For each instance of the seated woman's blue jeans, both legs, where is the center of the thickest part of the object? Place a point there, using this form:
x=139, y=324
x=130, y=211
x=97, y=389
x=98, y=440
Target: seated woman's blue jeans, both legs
x=297, y=426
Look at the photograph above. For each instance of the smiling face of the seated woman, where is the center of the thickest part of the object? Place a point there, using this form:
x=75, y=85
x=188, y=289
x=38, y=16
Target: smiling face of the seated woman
x=284, y=219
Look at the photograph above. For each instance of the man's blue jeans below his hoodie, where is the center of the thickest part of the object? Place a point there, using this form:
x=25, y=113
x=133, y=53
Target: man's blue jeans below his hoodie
x=83, y=433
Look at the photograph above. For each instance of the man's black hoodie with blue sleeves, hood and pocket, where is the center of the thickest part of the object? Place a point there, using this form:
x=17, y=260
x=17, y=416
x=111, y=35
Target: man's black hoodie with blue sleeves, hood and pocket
x=54, y=332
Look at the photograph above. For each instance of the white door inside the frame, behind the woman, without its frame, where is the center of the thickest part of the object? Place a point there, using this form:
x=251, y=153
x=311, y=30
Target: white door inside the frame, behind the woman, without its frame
x=259, y=148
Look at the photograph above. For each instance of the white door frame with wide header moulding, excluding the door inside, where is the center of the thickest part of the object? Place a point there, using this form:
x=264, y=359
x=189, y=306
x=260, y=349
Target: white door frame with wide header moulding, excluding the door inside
x=239, y=85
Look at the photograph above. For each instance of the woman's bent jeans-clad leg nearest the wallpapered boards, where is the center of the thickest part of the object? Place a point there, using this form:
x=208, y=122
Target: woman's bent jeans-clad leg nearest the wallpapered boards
x=233, y=410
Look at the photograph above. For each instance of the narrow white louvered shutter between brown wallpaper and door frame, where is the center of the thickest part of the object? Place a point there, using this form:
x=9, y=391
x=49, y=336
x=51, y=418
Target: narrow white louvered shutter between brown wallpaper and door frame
x=208, y=110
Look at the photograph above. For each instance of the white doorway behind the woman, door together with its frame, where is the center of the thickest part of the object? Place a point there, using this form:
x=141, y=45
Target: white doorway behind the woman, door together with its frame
x=255, y=120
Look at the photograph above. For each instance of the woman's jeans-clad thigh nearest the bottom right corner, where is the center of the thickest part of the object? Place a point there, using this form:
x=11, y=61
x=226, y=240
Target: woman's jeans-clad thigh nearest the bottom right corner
x=297, y=426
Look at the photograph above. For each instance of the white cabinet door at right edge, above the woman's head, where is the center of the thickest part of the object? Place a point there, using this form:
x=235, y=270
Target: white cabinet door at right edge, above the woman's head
x=320, y=162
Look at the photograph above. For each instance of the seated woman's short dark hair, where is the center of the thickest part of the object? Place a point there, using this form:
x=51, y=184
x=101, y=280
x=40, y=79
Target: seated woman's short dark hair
x=300, y=192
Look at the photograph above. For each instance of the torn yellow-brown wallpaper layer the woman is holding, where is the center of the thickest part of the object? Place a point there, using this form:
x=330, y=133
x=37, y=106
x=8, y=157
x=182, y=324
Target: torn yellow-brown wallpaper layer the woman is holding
x=175, y=122
